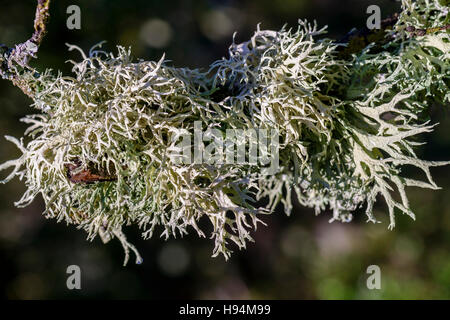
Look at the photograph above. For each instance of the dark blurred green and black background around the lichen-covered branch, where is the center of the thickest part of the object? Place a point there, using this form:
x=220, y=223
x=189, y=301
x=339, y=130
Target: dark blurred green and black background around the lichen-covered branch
x=296, y=257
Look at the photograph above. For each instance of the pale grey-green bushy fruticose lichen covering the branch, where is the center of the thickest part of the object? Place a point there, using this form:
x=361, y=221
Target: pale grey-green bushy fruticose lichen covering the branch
x=346, y=129
